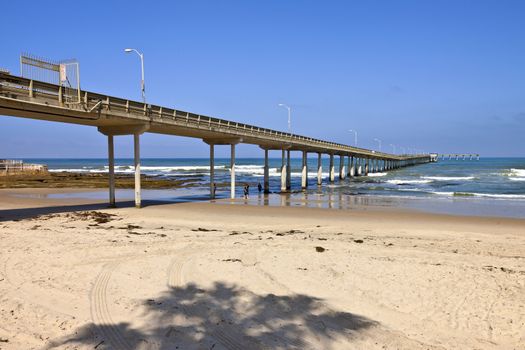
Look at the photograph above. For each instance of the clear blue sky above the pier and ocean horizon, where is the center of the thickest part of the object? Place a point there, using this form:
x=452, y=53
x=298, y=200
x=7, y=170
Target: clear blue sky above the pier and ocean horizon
x=443, y=76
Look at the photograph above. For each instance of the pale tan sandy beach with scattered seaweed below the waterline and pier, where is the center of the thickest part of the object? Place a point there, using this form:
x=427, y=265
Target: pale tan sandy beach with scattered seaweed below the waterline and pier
x=215, y=276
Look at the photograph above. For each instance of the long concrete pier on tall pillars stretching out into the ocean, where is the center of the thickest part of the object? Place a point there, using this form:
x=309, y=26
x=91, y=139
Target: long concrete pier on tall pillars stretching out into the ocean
x=21, y=97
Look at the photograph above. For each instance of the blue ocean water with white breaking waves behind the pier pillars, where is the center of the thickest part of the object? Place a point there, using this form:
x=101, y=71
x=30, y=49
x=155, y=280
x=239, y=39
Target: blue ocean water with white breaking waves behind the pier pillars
x=489, y=186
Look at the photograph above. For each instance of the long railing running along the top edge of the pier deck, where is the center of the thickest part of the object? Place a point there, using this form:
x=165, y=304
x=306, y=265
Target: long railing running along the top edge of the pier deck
x=91, y=103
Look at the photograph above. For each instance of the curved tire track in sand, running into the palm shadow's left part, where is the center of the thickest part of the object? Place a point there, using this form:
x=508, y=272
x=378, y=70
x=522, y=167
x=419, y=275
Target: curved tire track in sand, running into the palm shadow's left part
x=100, y=312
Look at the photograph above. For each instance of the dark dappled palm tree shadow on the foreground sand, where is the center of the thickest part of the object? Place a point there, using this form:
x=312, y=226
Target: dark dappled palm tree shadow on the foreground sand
x=223, y=317
